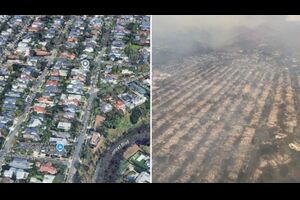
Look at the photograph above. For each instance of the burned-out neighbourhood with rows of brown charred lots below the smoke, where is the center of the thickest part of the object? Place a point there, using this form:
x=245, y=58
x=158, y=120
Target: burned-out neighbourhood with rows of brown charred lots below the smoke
x=228, y=116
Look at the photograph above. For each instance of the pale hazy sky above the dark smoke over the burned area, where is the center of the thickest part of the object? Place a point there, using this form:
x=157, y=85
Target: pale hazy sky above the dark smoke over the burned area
x=219, y=27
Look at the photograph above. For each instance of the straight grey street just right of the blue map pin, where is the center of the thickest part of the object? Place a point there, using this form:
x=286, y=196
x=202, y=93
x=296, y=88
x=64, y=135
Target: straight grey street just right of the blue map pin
x=85, y=121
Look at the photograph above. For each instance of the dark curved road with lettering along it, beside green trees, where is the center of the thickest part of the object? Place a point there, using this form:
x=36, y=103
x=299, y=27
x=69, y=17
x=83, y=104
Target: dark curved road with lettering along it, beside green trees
x=127, y=140
